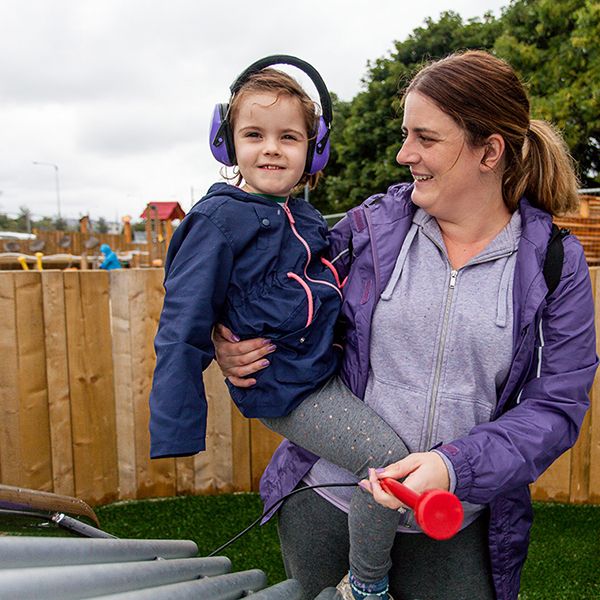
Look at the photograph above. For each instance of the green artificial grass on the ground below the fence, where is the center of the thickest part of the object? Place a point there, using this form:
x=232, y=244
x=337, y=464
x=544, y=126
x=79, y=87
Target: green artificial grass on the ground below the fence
x=563, y=562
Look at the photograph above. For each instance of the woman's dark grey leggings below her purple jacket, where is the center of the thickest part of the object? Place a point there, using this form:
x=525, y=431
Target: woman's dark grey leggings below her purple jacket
x=314, y=544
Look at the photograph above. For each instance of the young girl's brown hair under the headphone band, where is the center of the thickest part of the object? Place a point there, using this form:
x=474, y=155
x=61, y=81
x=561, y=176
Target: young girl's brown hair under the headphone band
x=279, y=83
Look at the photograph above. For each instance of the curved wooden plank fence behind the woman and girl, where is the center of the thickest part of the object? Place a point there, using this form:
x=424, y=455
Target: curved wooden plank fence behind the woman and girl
x=76, y=366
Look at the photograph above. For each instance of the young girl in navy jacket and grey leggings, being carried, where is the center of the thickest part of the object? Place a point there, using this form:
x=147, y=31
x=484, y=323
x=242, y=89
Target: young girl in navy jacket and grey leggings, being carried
x=254, y=258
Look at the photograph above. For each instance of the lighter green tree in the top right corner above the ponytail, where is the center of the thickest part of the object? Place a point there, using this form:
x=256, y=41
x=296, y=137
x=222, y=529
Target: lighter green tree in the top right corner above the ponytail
x=554, y=46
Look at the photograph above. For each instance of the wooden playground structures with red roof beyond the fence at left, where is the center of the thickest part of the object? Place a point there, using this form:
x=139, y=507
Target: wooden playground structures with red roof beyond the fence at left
x=81, y=249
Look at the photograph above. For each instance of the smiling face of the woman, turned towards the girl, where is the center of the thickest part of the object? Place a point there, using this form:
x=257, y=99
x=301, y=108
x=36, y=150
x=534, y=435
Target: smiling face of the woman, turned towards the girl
x=445, y=168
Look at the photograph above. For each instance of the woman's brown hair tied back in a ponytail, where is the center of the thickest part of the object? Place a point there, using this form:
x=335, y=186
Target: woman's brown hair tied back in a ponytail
x=484, y=96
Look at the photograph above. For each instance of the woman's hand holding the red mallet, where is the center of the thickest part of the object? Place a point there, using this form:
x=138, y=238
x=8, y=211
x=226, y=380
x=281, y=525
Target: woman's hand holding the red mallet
x=423, y=471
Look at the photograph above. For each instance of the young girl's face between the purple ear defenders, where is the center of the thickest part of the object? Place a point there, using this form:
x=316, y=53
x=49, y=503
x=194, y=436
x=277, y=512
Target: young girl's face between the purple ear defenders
x=271, y=142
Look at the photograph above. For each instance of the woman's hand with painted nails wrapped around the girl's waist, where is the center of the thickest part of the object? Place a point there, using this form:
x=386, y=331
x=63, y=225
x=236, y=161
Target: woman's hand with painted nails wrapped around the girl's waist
x=238, y=359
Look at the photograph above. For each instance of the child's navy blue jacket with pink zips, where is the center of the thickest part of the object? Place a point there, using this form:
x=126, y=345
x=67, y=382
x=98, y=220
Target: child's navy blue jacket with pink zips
x=239, y=259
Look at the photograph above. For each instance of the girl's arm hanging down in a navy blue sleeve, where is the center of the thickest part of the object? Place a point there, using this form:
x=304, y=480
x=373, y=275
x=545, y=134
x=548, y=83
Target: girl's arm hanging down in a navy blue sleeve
x=197, y=275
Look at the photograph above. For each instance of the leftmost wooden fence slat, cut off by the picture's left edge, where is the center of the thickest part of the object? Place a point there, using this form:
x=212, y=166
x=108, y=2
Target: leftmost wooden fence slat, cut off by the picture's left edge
x=10, y=451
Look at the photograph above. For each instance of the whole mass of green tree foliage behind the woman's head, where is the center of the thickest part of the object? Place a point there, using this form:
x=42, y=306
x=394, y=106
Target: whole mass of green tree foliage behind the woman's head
x=553, y=45
